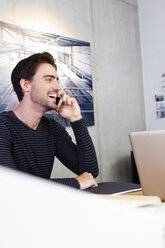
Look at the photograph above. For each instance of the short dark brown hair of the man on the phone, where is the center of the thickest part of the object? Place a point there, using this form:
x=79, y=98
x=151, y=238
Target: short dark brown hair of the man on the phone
x=26, y=68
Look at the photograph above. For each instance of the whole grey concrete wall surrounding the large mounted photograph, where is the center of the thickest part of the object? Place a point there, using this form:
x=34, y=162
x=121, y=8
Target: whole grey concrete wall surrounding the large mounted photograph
x=113, y=30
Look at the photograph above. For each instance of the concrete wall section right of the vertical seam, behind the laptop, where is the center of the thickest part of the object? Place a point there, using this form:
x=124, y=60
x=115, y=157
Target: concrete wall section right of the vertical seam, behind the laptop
x=118, y=78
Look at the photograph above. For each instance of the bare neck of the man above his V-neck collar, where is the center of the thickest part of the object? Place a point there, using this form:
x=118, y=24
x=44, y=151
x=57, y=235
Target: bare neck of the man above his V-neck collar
x=30, y=115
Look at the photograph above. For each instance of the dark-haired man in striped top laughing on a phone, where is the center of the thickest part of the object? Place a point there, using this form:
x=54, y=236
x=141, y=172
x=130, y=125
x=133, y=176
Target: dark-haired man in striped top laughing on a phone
x=29, y=141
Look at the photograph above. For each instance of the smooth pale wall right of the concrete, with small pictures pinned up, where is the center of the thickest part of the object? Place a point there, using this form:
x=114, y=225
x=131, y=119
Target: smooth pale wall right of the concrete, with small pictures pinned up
x=152, y=24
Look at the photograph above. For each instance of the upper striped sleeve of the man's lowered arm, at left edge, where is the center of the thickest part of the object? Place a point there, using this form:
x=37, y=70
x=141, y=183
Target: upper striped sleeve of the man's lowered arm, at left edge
x=6, y=158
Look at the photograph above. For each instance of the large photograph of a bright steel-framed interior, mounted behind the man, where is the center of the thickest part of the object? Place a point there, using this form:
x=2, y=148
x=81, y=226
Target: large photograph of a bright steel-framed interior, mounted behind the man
x=73, y=59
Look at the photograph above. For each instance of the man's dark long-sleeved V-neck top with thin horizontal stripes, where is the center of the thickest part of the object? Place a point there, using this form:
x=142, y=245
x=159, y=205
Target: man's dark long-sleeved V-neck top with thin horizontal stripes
x=33, y=151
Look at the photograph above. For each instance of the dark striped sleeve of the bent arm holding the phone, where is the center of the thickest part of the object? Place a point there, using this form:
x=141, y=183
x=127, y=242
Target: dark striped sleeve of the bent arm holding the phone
x=79, y=157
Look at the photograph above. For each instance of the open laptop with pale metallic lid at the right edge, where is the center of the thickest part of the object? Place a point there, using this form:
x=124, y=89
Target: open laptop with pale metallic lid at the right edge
x=149, y=153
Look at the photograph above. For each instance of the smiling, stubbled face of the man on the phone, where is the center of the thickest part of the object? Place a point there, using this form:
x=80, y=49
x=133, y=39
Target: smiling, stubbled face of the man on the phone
x=44, y=84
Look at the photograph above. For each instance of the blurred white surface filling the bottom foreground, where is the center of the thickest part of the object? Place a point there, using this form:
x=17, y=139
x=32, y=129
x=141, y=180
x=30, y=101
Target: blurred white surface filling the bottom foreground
x=36, y=213
